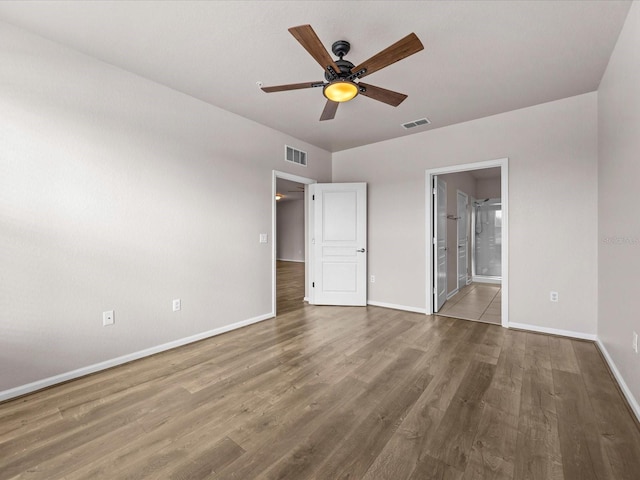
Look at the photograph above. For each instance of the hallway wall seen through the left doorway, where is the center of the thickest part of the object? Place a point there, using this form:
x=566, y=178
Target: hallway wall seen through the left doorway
x=290, y=230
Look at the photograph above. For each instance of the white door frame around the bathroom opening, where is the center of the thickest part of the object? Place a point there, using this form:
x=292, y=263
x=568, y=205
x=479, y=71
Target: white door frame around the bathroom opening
x=503, y=163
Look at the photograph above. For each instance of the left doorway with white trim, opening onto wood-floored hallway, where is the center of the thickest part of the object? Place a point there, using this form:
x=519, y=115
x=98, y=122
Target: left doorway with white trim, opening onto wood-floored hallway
x=290, y=234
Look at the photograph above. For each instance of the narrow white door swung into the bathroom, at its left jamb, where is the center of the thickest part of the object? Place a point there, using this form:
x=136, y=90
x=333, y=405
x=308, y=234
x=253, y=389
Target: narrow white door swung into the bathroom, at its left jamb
x=440, y=243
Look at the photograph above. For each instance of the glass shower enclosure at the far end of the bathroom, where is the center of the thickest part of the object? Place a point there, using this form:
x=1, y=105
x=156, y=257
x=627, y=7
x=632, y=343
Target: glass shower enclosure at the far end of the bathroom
x=486, y=218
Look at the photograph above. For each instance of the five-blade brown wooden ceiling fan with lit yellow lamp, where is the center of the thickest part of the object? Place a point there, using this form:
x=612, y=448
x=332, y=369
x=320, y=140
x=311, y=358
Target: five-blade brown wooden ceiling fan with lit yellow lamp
x=342, y=77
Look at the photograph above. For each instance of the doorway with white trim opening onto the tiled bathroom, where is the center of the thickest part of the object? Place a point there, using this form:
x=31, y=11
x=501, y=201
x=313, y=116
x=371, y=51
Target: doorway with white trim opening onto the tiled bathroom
x=477, y=192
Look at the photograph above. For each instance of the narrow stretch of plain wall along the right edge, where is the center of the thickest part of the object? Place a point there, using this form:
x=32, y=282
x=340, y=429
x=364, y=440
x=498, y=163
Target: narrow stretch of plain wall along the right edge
x=619, y=221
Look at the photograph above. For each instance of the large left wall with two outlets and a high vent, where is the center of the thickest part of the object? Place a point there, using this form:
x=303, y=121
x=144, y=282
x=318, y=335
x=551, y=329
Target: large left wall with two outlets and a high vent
x=118, y=193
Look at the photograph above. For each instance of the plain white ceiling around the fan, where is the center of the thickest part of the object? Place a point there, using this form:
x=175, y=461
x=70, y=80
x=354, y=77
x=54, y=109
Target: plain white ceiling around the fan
x=481, y=57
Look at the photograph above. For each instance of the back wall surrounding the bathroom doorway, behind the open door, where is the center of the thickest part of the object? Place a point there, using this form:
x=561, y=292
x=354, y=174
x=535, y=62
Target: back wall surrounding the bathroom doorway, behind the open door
x=552, y=151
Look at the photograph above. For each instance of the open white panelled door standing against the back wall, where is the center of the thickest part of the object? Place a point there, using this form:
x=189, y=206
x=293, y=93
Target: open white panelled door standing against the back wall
x=339, y=242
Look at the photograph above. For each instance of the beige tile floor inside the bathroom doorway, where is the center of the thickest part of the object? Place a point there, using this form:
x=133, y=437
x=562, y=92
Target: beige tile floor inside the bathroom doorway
x=477, y=301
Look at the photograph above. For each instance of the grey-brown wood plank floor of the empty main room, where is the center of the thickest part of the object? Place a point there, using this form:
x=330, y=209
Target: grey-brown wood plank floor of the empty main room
x=335, y=393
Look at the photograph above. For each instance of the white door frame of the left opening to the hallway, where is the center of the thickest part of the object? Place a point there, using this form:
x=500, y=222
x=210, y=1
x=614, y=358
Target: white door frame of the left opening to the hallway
x=307, y=223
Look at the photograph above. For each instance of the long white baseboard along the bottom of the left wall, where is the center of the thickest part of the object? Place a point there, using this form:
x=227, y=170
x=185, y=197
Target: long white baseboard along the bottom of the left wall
x=80, y=372
